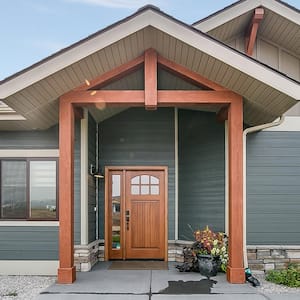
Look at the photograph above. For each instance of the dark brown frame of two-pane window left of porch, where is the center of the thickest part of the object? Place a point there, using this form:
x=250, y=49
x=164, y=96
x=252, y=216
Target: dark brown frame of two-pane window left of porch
x=28, y=160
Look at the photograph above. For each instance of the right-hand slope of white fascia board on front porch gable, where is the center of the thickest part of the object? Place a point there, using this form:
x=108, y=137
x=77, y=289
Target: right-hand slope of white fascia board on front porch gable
x=227, y=55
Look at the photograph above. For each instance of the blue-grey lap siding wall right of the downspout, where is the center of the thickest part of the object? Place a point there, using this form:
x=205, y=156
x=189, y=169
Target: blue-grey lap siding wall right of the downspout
x=273, y=188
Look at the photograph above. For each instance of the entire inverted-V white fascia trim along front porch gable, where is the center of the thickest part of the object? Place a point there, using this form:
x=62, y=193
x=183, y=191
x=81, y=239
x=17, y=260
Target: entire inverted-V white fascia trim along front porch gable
x=169, y=26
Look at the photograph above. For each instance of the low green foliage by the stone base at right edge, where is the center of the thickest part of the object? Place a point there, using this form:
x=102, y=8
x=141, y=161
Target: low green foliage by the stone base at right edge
x=289, y=277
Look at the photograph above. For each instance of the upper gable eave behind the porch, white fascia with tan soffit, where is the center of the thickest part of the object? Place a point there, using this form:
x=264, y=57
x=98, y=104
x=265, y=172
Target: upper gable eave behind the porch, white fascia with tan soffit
x=281, y=22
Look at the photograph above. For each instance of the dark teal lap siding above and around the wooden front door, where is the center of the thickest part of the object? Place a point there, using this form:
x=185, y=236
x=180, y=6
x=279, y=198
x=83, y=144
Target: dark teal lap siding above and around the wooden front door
x=139, y=137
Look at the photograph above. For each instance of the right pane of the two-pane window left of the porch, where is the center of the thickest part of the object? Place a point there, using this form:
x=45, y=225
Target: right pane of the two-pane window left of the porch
x=43, y=189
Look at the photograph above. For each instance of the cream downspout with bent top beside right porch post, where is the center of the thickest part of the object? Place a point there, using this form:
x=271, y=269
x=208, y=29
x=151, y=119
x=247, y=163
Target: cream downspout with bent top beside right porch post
x=246, y=131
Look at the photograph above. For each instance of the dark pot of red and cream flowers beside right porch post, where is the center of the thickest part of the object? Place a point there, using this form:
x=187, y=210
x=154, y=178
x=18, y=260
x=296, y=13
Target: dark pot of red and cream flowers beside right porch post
x=210, y=248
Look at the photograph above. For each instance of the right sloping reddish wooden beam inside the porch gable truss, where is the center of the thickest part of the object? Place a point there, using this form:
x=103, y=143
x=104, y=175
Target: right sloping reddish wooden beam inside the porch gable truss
x=188, y=75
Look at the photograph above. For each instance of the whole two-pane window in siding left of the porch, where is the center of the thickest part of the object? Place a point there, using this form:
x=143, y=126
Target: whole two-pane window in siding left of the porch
x=28, y=189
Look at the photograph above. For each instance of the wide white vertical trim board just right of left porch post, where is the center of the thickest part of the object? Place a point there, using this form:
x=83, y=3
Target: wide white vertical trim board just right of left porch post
x=84, y=178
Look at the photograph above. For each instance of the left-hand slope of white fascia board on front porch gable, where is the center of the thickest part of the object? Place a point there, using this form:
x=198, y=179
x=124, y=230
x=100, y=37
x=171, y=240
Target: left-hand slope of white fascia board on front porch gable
x=55, y=64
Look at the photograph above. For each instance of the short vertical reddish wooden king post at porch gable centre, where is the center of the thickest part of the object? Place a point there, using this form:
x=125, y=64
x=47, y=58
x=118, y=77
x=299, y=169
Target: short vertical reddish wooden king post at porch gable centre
x=150, y=79
